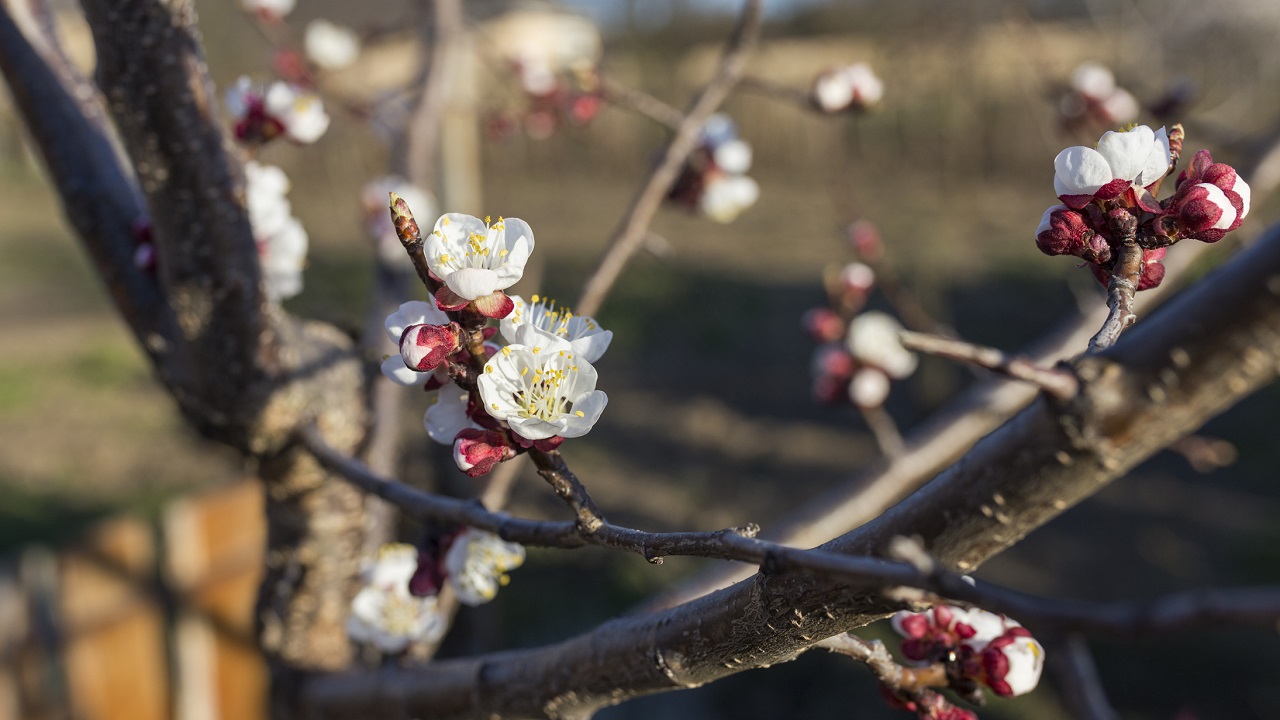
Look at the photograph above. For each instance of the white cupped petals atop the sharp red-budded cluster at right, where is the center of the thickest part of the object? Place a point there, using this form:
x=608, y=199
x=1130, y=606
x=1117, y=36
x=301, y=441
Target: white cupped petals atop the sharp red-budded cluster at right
x=1139, y=157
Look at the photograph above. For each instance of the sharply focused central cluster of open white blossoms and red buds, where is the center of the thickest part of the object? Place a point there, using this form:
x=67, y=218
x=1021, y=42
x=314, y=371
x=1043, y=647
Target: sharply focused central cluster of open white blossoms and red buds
x=532, y=393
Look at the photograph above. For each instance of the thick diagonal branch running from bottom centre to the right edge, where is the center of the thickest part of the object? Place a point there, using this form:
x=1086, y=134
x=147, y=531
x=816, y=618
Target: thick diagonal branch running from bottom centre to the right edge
x=1210, y=348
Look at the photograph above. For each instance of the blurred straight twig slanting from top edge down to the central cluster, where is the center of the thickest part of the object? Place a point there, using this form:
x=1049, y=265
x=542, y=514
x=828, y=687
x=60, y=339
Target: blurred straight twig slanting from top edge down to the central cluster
x=632, y=233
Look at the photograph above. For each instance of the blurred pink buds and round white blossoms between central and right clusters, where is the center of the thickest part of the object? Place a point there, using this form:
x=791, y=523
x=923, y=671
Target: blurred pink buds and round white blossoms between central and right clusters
x=861, y=352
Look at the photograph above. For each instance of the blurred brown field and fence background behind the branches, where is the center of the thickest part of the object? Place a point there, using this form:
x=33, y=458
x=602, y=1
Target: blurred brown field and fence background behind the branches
x=130, y=546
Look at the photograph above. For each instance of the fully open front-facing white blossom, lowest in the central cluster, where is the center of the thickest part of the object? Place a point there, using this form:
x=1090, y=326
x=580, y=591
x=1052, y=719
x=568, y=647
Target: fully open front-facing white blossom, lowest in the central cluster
x=542, y=390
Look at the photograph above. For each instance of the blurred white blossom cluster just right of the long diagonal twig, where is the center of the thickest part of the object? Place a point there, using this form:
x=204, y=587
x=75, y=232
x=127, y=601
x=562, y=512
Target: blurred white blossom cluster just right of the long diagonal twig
x=715, y=181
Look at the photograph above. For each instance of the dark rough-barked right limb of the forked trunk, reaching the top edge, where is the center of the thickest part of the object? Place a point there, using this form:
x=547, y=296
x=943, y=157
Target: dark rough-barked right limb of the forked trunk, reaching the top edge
x=152, y=71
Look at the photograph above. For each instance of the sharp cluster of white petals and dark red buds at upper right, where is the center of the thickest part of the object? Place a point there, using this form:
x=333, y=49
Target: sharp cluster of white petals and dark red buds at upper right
x=1109, y=198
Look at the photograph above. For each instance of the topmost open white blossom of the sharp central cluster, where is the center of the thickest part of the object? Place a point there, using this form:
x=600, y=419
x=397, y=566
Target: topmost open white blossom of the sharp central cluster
x=477, y=259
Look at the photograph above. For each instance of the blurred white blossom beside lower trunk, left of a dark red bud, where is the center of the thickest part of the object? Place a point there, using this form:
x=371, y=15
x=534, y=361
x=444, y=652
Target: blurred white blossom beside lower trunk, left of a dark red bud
x=385, y=613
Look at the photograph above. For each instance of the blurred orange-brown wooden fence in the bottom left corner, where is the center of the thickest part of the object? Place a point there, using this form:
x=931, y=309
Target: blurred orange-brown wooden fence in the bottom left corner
x=140, y=621
